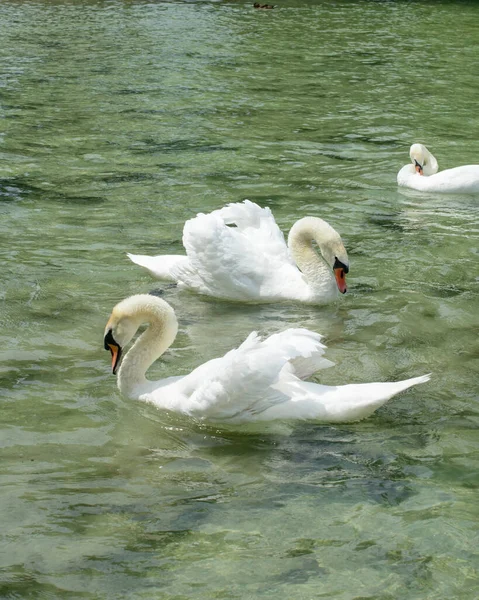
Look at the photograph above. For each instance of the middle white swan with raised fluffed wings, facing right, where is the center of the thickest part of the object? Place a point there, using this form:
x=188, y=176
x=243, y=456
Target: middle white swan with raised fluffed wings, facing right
x=239, y=253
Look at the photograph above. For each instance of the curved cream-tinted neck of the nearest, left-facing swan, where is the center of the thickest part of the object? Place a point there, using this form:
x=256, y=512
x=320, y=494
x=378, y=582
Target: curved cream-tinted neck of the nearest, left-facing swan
x=150, y=345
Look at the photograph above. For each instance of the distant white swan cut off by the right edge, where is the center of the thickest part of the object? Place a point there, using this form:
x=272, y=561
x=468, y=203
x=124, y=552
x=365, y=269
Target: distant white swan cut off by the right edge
x=422, y=174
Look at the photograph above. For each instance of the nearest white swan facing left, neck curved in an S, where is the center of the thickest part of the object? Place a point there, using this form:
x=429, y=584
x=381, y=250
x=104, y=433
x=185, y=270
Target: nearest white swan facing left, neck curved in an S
x=261, y=380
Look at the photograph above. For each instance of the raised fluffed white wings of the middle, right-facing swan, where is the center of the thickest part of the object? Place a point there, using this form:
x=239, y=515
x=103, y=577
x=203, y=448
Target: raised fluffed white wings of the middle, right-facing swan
x=238, y=252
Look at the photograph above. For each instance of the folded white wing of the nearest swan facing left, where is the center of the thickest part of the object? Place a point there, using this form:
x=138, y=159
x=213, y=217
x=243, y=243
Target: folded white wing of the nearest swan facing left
x=244, y=383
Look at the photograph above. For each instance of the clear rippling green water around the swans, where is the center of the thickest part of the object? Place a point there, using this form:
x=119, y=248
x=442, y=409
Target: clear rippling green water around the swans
x=119, y=121
